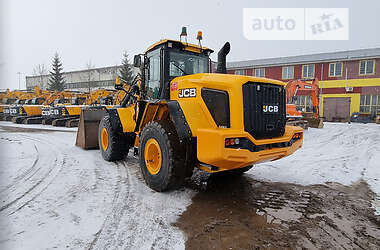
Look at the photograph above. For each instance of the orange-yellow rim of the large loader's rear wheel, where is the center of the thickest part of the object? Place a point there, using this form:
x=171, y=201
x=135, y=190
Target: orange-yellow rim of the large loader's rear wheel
x=153, y=156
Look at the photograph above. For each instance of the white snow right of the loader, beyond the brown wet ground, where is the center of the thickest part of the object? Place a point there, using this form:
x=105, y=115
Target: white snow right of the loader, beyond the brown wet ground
x=340, y=152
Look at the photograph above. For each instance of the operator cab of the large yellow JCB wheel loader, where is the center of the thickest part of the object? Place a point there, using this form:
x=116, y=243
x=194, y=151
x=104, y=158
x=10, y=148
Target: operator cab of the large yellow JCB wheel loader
x=168, y=59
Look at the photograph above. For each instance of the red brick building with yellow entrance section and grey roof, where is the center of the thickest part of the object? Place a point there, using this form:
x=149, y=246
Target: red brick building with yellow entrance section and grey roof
x=349, y=80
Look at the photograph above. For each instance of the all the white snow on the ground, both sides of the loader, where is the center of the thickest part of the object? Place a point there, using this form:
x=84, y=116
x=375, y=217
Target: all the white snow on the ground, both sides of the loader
x=56, y=195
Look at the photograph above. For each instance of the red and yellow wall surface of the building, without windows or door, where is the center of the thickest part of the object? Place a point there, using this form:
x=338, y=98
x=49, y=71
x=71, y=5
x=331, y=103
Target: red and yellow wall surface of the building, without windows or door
x=349, y=84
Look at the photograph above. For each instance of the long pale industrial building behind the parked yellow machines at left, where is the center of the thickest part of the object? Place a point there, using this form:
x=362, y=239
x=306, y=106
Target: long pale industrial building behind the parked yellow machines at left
x=81, y=80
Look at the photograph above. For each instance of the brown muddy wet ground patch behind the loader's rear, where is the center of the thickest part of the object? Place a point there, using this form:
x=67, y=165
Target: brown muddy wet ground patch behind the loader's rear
x=241, y=213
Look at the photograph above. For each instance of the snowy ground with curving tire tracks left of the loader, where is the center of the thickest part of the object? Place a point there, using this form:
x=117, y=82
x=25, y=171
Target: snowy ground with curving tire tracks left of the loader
x=56, y=195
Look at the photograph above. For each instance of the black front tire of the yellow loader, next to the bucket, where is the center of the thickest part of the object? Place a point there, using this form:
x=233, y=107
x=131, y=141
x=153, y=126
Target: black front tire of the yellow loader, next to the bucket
x=118, y=142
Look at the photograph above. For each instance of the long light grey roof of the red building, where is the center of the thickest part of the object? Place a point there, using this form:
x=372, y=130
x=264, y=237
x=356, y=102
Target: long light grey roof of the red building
x=320, y=57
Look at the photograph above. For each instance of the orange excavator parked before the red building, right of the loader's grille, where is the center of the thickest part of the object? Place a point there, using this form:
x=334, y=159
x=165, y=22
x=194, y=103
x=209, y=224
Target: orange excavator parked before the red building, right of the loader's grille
x=307, y=119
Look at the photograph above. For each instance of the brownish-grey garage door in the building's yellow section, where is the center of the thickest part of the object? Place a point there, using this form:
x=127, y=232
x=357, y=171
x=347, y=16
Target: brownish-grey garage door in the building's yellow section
x=336, y=109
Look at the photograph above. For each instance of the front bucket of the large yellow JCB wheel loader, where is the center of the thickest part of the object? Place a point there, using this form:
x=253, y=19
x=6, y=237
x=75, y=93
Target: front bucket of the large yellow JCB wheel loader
x=87, y=135
